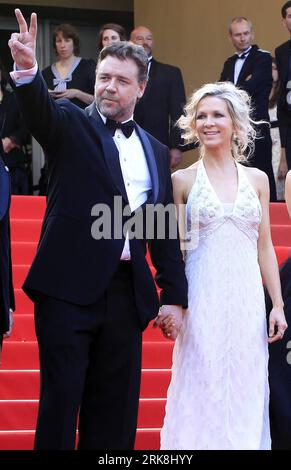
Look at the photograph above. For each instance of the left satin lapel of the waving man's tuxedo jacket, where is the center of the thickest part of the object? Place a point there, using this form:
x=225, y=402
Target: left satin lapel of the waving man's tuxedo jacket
x=110, y=151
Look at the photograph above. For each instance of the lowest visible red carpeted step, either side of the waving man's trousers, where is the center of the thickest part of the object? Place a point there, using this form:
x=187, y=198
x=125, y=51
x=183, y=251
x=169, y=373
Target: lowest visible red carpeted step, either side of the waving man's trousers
x=146, y=439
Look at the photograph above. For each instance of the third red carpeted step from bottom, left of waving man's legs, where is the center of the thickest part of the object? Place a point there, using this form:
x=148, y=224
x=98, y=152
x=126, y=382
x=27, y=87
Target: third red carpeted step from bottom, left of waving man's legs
x=19, y=384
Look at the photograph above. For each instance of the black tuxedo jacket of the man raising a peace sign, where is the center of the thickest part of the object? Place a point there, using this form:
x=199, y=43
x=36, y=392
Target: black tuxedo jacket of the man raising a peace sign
x=70, y=264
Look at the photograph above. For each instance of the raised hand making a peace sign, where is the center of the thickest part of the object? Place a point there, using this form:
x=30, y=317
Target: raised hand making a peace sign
x=23, y=44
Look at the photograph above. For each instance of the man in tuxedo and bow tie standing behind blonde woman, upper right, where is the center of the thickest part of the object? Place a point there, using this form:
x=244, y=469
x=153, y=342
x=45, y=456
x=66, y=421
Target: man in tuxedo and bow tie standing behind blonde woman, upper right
x=251, y=69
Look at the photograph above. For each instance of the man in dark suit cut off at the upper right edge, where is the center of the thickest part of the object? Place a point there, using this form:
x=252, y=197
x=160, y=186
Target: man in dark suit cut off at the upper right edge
x=283, y=61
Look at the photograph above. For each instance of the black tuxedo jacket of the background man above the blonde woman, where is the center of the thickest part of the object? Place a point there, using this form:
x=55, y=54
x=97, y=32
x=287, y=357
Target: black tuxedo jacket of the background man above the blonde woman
x=258, y=64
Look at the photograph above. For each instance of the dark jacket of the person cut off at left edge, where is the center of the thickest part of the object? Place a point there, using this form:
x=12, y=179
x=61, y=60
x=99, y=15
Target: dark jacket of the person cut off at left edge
x=6, y=286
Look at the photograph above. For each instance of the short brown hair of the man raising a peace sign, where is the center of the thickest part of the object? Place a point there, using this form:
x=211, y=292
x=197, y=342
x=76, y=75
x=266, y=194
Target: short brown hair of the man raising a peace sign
x=127, y=50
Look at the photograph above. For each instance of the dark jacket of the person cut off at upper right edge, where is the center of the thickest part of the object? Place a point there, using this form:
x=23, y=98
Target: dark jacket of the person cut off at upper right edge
x=282, y=54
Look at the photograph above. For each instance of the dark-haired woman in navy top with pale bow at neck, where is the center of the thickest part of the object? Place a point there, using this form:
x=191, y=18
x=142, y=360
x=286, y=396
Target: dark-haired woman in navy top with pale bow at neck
x=70, y=76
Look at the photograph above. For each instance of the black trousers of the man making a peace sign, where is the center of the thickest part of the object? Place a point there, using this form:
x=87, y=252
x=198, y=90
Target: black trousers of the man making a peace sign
x=90, y=362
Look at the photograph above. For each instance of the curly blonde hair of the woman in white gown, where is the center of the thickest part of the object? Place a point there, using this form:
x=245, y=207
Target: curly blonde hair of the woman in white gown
x=238, y=103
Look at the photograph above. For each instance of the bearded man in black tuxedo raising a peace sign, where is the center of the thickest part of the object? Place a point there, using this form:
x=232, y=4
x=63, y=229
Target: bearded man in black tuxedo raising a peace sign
x=92, y=287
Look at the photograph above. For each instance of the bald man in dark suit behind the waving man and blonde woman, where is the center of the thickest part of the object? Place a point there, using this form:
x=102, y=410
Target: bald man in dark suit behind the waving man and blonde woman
x=162, y=103
